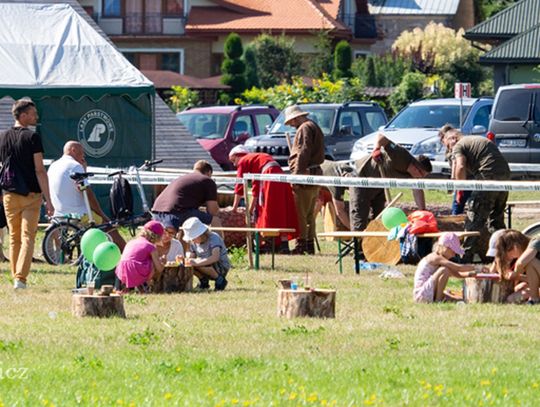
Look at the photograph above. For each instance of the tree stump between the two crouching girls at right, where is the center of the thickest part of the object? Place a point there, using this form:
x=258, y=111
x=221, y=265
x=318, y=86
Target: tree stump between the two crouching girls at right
x=486, y=290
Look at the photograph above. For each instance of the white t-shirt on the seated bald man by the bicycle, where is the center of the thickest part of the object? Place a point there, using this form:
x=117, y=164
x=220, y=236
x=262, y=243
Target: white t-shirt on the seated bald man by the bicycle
x=65, y=196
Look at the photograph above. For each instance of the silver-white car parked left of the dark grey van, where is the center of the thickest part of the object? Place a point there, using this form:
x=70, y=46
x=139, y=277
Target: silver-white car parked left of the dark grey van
x=416, y=126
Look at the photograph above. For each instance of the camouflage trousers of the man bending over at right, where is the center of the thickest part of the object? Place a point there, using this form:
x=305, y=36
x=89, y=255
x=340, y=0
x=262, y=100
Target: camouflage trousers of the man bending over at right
x=484, y=214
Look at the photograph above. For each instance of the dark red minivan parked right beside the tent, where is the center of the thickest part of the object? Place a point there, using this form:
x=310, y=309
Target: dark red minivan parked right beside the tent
x=220, y=128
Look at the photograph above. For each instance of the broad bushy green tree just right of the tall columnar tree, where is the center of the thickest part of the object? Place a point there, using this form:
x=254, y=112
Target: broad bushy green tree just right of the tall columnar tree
x=277, y=60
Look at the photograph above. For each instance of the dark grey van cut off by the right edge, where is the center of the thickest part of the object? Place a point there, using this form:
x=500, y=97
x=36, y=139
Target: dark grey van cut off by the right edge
x=515, y=122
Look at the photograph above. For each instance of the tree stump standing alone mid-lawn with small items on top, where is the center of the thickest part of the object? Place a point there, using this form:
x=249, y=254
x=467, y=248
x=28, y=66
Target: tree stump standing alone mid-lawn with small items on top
x=307, y=303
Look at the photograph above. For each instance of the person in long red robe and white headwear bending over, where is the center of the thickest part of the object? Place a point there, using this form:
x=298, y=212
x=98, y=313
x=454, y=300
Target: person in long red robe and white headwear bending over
x=272, y=205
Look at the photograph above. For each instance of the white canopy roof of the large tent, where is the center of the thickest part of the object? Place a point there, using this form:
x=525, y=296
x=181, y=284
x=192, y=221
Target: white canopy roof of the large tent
x=50, y=50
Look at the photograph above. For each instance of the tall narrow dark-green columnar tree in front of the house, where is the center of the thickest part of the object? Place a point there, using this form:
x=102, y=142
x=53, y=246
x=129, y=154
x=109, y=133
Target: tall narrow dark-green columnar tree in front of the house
x=233, y=68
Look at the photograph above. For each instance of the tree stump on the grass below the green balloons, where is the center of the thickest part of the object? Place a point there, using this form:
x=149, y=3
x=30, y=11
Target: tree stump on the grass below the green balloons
x=98, y=306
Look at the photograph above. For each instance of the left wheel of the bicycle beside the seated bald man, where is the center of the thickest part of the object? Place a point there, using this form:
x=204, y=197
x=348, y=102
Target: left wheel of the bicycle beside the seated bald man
x=61, y=243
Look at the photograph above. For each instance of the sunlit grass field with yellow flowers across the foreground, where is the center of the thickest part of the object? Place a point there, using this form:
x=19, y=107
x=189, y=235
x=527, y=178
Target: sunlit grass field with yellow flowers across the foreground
x=229, y=348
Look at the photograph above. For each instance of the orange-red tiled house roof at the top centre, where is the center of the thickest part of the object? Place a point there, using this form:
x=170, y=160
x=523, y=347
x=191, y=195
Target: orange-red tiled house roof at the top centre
x=265, y=15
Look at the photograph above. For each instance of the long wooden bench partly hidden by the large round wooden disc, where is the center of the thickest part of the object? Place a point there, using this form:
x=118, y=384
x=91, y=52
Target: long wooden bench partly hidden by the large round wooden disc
x=355, y=244
